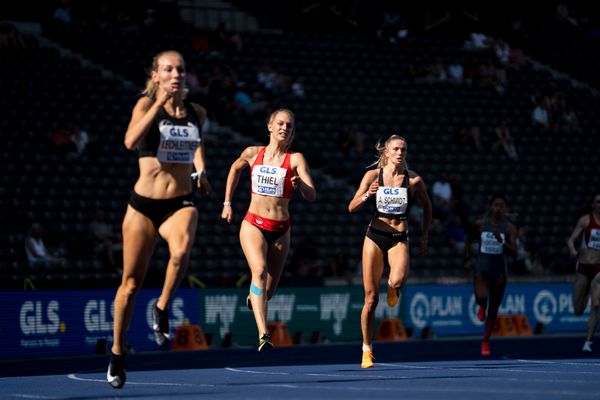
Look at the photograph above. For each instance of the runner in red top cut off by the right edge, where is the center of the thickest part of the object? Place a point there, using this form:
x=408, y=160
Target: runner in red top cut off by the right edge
x=587, y=277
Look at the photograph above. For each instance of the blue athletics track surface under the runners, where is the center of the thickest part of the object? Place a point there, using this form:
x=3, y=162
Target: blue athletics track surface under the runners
x=540, y=367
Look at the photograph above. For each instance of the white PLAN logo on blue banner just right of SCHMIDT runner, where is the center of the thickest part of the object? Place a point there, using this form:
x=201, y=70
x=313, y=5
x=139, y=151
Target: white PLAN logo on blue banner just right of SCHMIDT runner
x=438, y=310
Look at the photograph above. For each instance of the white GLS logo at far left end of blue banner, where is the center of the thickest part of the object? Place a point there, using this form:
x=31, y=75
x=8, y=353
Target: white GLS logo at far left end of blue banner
x=41, y=321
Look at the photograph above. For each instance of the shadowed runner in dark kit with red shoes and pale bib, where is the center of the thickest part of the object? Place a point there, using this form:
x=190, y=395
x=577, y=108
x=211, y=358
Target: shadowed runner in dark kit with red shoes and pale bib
x=497, y=240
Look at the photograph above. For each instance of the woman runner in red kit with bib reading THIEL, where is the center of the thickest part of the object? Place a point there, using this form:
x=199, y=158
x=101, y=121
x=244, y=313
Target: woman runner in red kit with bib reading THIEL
x=265, y=231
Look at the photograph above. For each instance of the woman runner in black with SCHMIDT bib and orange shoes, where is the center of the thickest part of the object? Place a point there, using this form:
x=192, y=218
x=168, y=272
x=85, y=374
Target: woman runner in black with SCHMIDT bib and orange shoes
x=391, y=187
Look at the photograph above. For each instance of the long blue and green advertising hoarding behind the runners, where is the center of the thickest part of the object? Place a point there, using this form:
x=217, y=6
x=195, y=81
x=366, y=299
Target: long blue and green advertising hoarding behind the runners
x=39, y=323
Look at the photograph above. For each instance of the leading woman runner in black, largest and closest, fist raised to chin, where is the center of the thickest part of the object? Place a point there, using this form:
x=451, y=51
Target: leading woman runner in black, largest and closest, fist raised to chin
x=165, y=130
